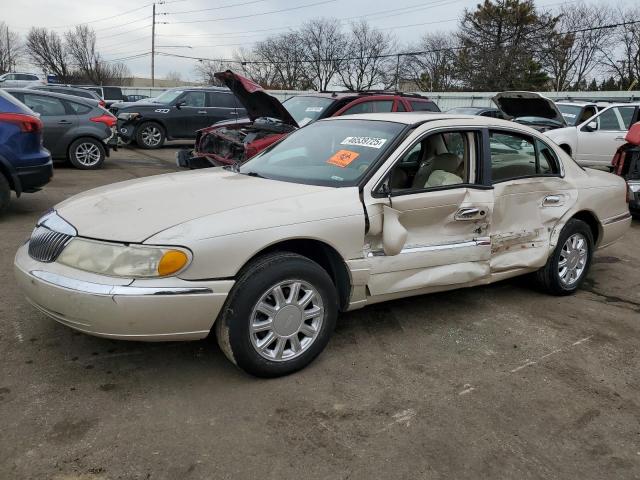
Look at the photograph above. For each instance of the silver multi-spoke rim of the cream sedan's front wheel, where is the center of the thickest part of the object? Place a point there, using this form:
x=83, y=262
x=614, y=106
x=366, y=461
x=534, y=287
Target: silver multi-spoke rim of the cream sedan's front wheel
x=286, y=320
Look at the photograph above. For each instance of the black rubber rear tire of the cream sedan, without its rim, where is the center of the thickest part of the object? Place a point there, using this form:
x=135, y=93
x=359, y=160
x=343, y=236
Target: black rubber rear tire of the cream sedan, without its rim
x=549, y=278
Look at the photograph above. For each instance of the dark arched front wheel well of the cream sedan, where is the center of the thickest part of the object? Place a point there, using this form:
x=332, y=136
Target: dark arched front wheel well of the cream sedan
x=324, y=255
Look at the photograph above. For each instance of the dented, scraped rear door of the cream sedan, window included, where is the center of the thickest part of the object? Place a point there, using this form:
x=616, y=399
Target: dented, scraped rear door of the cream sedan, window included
x=530, y=197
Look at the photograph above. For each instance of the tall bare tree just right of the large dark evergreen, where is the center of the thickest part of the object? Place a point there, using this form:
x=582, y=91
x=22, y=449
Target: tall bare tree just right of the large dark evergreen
x=575, y=49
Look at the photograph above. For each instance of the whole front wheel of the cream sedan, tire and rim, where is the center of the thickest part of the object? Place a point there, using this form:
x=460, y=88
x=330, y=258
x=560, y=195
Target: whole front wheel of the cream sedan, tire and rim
x=280, y=315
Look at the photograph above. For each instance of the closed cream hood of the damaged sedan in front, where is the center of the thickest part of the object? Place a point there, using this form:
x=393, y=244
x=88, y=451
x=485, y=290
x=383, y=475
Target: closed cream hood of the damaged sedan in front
x=134, y=210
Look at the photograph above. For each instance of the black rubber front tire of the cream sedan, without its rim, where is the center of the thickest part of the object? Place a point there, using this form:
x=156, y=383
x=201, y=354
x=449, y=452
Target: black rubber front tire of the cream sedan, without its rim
x=233, y=327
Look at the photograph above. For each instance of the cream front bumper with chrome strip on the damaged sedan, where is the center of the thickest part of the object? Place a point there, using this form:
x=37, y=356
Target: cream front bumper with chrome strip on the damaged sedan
x=147, y=310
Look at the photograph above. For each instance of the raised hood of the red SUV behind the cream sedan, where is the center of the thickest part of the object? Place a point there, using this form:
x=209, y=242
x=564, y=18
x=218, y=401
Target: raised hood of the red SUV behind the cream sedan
x=254, y=99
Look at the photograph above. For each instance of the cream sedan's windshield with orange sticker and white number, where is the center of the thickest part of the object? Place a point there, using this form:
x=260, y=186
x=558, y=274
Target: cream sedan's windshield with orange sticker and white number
x=334, y=153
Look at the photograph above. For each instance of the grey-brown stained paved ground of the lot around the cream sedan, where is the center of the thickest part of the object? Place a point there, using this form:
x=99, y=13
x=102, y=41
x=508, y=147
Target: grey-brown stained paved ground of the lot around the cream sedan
x=496, y=382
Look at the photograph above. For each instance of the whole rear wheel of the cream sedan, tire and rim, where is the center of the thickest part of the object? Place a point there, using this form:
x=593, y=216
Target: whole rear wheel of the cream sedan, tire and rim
x=569, y=263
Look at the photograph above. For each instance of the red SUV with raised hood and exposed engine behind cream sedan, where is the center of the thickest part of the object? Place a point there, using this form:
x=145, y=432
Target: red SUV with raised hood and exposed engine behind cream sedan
x=235, y=141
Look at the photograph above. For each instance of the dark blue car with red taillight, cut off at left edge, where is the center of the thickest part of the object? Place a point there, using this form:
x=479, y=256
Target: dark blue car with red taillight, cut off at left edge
x=25, y=165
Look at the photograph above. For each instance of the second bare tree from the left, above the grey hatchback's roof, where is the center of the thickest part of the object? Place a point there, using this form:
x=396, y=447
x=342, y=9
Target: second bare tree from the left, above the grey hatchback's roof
x=46, y=49
